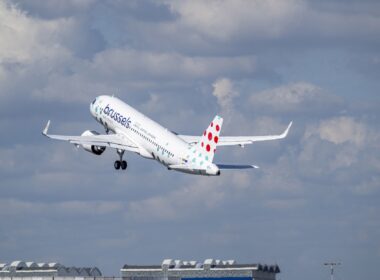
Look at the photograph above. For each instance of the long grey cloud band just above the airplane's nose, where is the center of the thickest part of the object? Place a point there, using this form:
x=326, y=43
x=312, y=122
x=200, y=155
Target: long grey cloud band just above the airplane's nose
x=137, y=71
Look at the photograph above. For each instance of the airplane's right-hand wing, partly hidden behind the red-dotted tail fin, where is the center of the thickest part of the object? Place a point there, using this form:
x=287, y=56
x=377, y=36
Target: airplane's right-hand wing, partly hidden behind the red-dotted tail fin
x=238, y=140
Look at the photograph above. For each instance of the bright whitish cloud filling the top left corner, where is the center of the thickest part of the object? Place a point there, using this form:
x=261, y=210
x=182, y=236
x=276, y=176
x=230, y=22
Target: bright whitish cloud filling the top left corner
x=38, y=55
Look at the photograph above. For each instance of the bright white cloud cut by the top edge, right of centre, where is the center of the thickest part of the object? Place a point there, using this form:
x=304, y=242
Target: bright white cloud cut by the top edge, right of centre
x=225, y=20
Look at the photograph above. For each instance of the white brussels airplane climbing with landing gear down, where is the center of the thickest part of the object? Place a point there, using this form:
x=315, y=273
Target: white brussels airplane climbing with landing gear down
x=129, y=130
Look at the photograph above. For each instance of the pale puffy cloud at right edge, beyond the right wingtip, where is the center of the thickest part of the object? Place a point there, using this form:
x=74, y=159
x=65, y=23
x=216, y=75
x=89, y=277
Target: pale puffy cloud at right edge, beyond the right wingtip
x=341, y=151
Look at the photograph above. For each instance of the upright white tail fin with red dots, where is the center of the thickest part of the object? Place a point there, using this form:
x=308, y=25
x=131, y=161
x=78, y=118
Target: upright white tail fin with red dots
x=210, y=138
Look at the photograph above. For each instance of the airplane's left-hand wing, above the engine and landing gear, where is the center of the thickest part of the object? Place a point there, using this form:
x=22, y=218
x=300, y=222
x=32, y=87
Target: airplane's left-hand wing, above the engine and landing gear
x=115, y=141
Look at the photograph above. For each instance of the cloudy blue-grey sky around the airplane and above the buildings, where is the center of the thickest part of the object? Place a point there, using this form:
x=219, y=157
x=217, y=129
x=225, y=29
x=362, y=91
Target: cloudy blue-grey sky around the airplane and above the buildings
x=259, y=64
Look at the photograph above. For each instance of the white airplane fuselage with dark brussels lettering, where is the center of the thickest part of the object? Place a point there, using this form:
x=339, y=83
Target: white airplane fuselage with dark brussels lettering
x=153, y=140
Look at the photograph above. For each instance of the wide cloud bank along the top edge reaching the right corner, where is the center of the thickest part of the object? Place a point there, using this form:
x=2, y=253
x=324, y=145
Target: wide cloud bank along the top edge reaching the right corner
x=257, y=25
